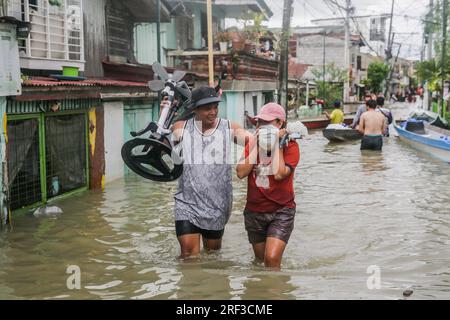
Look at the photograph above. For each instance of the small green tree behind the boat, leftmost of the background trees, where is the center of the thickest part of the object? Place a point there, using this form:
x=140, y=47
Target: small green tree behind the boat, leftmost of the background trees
x=331, y=89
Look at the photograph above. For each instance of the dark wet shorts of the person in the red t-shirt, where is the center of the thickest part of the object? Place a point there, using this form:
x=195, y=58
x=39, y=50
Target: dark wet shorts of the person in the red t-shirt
x=278, y=224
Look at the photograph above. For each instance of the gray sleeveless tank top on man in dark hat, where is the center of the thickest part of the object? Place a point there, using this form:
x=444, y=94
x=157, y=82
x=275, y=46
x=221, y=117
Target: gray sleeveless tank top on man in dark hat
x=205, y=192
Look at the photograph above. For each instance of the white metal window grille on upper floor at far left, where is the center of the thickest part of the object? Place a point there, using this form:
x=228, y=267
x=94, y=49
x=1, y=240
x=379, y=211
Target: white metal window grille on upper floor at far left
x=56, y=32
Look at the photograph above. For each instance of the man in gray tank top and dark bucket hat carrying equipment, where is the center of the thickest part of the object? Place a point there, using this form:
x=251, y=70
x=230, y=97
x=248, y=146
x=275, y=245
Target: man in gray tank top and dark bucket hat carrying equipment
x=204, y=197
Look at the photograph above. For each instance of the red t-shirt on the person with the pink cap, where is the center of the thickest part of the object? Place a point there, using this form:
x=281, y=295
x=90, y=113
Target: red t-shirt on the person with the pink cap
x=280, y=193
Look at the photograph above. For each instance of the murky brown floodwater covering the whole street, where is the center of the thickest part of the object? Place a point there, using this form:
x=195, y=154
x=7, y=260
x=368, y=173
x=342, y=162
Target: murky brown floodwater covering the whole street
x=354, y=210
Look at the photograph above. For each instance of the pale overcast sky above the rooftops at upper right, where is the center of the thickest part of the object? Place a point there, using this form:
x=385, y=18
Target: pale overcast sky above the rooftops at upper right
x=306, y=10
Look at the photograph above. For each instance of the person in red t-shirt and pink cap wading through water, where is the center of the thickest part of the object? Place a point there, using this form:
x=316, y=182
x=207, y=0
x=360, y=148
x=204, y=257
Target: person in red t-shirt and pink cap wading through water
x=269, y=167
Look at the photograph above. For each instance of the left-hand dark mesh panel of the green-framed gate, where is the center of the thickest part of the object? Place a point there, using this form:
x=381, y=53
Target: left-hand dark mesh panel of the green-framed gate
x=24, y=162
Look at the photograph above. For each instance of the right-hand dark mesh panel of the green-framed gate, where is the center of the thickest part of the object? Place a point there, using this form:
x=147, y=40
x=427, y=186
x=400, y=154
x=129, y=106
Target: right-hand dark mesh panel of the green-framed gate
x=65, y=138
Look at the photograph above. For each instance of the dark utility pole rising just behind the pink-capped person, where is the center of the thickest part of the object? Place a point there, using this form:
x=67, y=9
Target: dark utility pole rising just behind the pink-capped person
x=284, y=56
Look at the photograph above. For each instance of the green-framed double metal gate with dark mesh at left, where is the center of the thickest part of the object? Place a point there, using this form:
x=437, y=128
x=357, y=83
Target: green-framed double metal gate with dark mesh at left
x=47, y=156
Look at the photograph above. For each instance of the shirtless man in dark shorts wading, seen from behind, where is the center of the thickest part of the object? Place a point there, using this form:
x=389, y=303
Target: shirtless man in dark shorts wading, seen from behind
x=372, y=125
